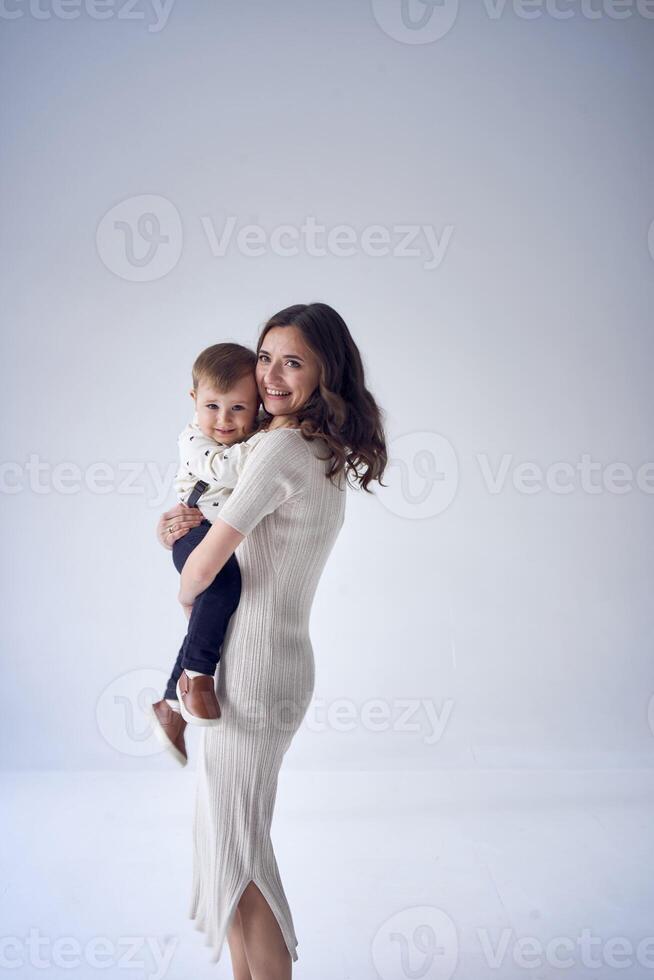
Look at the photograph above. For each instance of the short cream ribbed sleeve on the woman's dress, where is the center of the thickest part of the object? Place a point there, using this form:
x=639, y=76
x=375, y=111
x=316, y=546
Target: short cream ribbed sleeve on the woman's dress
x=275, y=472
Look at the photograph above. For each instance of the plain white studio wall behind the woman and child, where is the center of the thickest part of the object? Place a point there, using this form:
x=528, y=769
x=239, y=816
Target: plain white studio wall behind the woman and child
x=173, y=176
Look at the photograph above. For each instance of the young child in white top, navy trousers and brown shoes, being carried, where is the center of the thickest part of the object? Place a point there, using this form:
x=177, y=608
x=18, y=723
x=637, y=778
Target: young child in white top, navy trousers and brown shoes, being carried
x=212, y=453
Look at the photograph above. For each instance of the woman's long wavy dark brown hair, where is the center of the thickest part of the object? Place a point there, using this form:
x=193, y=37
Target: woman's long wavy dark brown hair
x=341, y=411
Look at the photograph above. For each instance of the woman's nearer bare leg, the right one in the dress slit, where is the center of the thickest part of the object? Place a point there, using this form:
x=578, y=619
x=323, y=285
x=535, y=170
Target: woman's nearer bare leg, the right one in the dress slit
x=266, y=950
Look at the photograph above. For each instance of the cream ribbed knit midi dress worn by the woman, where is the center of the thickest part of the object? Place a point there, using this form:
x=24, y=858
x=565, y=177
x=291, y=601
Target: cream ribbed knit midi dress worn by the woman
x=291, y=514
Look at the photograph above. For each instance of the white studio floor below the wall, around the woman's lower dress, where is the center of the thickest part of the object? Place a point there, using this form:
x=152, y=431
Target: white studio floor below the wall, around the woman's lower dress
x=475, y=874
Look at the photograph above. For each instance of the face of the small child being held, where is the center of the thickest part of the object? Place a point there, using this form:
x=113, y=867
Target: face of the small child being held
x=227, y=416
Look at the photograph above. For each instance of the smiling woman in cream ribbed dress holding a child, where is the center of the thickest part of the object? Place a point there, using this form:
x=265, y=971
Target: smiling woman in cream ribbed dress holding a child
x=323, y=428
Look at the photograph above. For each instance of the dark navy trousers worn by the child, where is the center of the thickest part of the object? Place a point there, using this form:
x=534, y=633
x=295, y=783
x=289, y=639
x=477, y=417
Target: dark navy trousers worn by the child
x=211, y=612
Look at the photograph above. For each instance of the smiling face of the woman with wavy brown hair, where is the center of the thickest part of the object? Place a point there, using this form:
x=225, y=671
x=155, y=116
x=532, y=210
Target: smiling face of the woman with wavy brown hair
x=287, y=371
